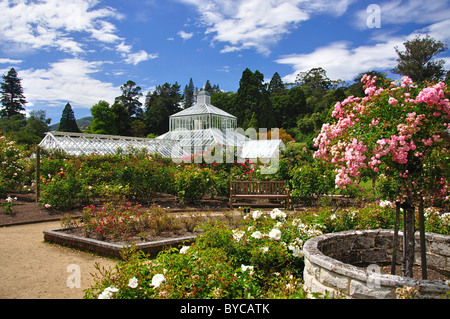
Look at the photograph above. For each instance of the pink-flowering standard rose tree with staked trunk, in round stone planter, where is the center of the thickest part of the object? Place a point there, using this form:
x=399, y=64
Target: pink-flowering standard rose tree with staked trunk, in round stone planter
x=400, y=133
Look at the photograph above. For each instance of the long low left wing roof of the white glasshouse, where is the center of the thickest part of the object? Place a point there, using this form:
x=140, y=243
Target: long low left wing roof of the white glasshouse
x=87, y=144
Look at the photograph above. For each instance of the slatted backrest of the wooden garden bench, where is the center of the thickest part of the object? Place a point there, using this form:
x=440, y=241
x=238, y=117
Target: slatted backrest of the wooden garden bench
x=258, y=187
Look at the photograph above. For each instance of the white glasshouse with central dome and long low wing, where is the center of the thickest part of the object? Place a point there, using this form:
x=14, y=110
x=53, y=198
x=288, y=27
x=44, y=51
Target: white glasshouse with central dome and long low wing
x=191, y=131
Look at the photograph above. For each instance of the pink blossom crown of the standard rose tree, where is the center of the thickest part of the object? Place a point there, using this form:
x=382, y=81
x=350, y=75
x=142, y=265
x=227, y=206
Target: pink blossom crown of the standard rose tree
x=338, y=144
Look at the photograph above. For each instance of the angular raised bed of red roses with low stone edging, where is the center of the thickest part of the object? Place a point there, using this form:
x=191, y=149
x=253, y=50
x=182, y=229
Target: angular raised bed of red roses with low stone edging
x=111, y=229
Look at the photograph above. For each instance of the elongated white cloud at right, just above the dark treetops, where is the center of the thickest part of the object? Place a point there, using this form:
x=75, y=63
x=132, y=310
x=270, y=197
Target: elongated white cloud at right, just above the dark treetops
x=343, y=62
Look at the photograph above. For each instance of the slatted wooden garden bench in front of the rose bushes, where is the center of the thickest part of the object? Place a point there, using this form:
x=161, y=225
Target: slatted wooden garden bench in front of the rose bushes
x=259, y=189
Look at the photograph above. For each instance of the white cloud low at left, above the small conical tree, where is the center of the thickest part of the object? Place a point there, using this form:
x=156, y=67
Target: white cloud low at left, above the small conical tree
x=68, y=80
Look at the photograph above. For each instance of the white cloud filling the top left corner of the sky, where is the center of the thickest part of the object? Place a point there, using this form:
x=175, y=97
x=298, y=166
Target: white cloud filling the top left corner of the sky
x=54, y=24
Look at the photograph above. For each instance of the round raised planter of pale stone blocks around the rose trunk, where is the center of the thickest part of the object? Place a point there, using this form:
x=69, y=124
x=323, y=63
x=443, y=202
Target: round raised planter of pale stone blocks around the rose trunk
x=347, y=264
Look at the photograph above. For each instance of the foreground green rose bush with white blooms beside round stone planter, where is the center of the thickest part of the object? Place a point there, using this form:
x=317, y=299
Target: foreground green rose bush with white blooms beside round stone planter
x=260, y=259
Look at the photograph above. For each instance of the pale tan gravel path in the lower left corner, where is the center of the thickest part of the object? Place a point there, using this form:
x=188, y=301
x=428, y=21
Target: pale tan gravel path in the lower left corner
x=33, y=269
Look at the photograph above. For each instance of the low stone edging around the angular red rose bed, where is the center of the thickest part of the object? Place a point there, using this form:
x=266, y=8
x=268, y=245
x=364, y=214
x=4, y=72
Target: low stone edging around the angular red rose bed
x=102, y=248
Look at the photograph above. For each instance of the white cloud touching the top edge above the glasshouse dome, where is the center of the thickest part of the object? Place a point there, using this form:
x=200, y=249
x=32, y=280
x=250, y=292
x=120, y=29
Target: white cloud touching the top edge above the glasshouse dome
x=259, y=24
